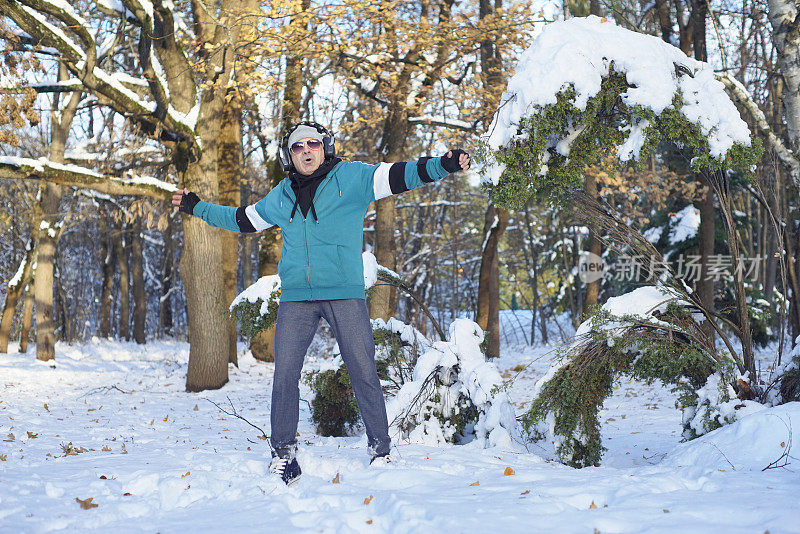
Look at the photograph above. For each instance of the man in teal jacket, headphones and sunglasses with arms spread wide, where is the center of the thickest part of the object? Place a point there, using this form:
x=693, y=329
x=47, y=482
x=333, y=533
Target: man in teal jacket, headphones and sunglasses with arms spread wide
x=321, y=269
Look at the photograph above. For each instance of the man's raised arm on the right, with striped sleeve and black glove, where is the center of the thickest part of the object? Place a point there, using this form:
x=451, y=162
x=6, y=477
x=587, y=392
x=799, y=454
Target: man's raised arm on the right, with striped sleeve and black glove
x=393, y=178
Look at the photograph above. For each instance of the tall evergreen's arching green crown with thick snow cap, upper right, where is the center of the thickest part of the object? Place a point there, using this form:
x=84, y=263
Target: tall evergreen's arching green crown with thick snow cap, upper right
x=587, y=88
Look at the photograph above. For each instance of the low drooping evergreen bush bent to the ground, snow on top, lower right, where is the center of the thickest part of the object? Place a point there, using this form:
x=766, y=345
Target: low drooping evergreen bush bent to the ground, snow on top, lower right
x=649, y=334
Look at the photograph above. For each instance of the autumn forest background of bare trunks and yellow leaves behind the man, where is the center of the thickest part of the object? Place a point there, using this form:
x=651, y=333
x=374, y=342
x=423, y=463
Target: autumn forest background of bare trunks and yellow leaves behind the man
x=109, y=106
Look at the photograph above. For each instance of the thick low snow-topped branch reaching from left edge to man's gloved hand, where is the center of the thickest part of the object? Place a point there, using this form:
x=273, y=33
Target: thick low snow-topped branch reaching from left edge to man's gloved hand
x=13, y=168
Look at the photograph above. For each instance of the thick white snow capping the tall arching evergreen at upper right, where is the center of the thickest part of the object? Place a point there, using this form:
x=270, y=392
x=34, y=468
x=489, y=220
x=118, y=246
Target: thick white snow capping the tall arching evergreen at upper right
x=578, y=52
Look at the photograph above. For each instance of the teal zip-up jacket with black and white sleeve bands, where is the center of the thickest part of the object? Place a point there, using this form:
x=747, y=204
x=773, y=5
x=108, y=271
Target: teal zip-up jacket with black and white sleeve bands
x=322, y=260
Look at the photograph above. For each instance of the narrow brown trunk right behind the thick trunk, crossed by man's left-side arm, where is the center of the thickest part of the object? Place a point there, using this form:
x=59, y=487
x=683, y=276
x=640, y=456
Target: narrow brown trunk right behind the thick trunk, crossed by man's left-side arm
x=229, y=169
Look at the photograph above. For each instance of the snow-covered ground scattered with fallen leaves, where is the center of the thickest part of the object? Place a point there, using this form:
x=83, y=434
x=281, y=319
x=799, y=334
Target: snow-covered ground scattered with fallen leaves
x=110, y=422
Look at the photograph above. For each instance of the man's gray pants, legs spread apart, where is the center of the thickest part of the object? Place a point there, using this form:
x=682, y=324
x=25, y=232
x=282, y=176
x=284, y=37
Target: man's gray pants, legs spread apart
x=295, y=328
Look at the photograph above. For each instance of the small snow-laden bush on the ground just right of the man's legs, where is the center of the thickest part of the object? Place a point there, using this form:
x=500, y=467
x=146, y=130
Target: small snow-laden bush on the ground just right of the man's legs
x=455, y=396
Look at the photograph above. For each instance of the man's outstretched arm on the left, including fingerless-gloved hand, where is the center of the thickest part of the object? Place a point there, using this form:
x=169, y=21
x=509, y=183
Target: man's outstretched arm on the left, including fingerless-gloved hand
x=243, y=219
